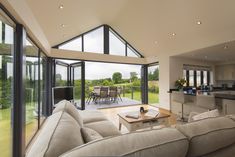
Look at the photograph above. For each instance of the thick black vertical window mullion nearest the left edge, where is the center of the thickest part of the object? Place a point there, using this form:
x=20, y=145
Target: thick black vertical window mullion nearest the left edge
x=18, y=139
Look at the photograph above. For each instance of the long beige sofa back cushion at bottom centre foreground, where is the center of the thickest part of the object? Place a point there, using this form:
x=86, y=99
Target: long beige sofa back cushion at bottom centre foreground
x=163, y=143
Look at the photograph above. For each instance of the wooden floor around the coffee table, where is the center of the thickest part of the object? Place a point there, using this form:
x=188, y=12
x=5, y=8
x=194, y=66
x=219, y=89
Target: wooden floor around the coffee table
x=111, y=113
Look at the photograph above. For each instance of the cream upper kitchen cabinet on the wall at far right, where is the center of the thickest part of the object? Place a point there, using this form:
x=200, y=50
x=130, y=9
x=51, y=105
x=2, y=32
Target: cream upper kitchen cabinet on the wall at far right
x=225, y=72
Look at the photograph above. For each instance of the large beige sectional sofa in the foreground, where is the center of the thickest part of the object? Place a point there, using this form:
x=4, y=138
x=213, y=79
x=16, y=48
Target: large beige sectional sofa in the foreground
x=61, y=136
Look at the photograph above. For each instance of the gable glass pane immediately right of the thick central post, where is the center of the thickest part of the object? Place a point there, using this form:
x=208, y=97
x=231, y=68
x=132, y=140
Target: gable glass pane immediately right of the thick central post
x=116, y=45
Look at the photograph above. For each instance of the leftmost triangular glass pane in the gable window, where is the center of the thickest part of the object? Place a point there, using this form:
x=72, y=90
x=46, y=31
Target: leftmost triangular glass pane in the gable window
x=75, y=45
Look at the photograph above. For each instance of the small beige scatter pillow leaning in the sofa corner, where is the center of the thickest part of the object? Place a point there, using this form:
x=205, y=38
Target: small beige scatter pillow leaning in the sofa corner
x=90, y=135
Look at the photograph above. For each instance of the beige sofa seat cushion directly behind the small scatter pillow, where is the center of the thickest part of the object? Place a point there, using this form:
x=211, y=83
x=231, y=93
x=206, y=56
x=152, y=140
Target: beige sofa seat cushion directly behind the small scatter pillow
x=104, y=128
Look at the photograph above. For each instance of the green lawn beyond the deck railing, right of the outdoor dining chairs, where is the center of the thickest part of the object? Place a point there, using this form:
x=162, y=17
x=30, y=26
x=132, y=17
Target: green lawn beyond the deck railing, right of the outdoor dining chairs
x=153, y=97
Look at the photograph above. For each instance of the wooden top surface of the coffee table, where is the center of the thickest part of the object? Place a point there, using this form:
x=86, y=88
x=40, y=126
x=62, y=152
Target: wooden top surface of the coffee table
x=143, y=117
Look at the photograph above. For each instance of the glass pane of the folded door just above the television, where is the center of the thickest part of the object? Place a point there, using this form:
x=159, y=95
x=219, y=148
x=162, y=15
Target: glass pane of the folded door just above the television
x=61, y=75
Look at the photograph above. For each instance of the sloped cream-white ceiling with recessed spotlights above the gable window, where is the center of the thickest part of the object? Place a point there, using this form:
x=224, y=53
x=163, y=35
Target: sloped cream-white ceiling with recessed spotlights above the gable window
x=142, y=22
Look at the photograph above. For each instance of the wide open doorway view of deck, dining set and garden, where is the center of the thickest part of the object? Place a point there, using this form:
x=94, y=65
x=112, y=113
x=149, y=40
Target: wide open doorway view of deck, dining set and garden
x=123, y=76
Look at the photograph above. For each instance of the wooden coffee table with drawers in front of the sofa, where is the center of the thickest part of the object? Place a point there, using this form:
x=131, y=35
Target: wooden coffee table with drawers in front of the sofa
x=143, y=121
